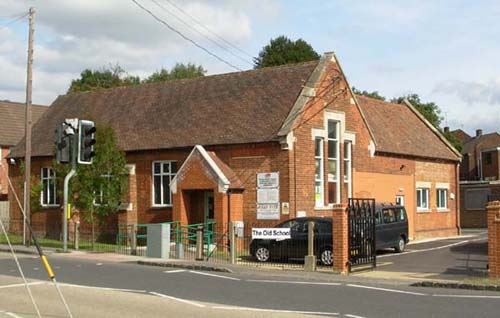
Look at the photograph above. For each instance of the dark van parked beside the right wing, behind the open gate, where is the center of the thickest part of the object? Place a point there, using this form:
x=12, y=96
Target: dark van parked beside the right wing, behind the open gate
x=391, y=227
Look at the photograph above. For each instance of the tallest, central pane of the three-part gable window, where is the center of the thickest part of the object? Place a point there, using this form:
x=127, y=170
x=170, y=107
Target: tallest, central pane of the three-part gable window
x=333, y=161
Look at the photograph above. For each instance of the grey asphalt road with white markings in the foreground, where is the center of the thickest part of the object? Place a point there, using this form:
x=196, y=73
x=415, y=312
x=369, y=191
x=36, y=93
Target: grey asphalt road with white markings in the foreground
x=125, y=289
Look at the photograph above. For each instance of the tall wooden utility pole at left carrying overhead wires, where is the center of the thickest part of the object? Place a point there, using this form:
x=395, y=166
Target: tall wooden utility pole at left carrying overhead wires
x=27, y=154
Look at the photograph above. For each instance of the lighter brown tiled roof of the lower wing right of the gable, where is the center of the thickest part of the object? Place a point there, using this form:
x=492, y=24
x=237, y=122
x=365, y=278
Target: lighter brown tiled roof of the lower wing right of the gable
x=398, y=130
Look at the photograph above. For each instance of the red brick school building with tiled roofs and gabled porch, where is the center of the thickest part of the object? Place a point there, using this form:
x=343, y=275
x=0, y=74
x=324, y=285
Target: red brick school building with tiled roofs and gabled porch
x=262, y=145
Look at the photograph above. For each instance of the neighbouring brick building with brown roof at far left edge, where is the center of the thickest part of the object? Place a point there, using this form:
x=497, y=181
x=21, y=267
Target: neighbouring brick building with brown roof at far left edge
x=11, y=131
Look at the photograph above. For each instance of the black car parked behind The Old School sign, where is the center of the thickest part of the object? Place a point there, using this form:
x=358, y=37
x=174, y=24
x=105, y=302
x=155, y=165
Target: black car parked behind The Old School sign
x=296, y=247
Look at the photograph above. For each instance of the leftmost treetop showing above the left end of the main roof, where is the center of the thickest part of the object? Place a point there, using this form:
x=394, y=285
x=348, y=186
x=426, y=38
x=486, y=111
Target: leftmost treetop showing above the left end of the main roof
x=104, y=78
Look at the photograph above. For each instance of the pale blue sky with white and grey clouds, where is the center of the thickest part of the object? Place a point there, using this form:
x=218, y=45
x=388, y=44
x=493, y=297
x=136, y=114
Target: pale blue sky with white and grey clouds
x=445, y=51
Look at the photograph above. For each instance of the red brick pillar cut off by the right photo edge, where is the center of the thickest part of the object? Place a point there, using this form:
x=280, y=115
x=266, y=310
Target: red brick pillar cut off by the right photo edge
x=493, y=209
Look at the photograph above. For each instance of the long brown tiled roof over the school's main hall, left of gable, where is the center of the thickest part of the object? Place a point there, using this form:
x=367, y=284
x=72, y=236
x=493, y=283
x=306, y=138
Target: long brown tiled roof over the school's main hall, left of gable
x=242, y=107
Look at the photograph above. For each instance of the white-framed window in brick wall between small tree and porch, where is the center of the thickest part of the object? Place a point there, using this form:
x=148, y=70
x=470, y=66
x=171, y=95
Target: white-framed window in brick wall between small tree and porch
x=163, y=173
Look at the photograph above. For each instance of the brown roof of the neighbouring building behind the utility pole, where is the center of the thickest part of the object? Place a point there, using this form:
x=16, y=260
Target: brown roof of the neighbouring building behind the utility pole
x=12, y=121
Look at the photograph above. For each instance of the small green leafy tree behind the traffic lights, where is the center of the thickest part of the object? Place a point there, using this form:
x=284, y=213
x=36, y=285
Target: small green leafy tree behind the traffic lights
x=98, y=188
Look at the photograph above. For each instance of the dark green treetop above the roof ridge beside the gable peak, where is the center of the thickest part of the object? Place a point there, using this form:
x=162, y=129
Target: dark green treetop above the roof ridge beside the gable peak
x=282, y=50
